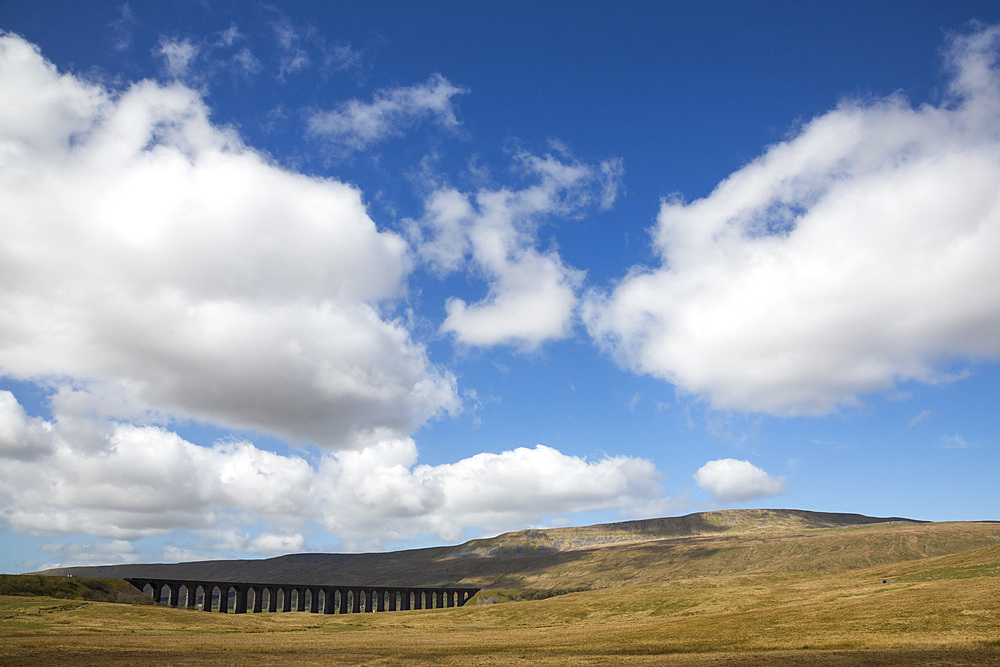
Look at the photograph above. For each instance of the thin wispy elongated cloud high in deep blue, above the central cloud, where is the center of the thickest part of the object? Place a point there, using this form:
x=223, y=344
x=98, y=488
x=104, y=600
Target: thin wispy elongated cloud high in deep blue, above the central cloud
x=355, y=124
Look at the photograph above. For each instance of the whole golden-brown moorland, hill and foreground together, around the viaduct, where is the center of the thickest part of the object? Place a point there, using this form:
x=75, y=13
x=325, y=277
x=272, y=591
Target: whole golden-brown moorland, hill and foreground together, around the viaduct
x=734, y=587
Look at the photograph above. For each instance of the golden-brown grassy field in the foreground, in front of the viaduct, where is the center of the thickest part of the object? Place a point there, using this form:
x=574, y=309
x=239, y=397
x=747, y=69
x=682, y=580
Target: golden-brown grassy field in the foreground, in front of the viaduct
x=943, y=610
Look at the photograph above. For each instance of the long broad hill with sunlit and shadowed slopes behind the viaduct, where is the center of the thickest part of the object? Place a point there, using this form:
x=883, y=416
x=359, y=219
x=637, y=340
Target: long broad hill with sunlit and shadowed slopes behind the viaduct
x=597, y=556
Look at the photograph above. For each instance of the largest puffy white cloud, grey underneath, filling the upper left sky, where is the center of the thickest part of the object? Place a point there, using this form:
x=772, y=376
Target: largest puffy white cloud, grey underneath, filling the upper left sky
x=180, y=272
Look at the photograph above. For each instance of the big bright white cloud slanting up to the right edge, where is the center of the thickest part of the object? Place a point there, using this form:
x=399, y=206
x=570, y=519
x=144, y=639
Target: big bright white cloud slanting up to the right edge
x=855, y=255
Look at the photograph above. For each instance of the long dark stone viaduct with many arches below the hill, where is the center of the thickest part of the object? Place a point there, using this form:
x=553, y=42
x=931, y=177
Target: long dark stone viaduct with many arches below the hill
x=242, y=597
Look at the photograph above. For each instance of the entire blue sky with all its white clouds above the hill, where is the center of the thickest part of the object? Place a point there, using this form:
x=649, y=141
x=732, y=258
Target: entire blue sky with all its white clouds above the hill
x=338, y=277
